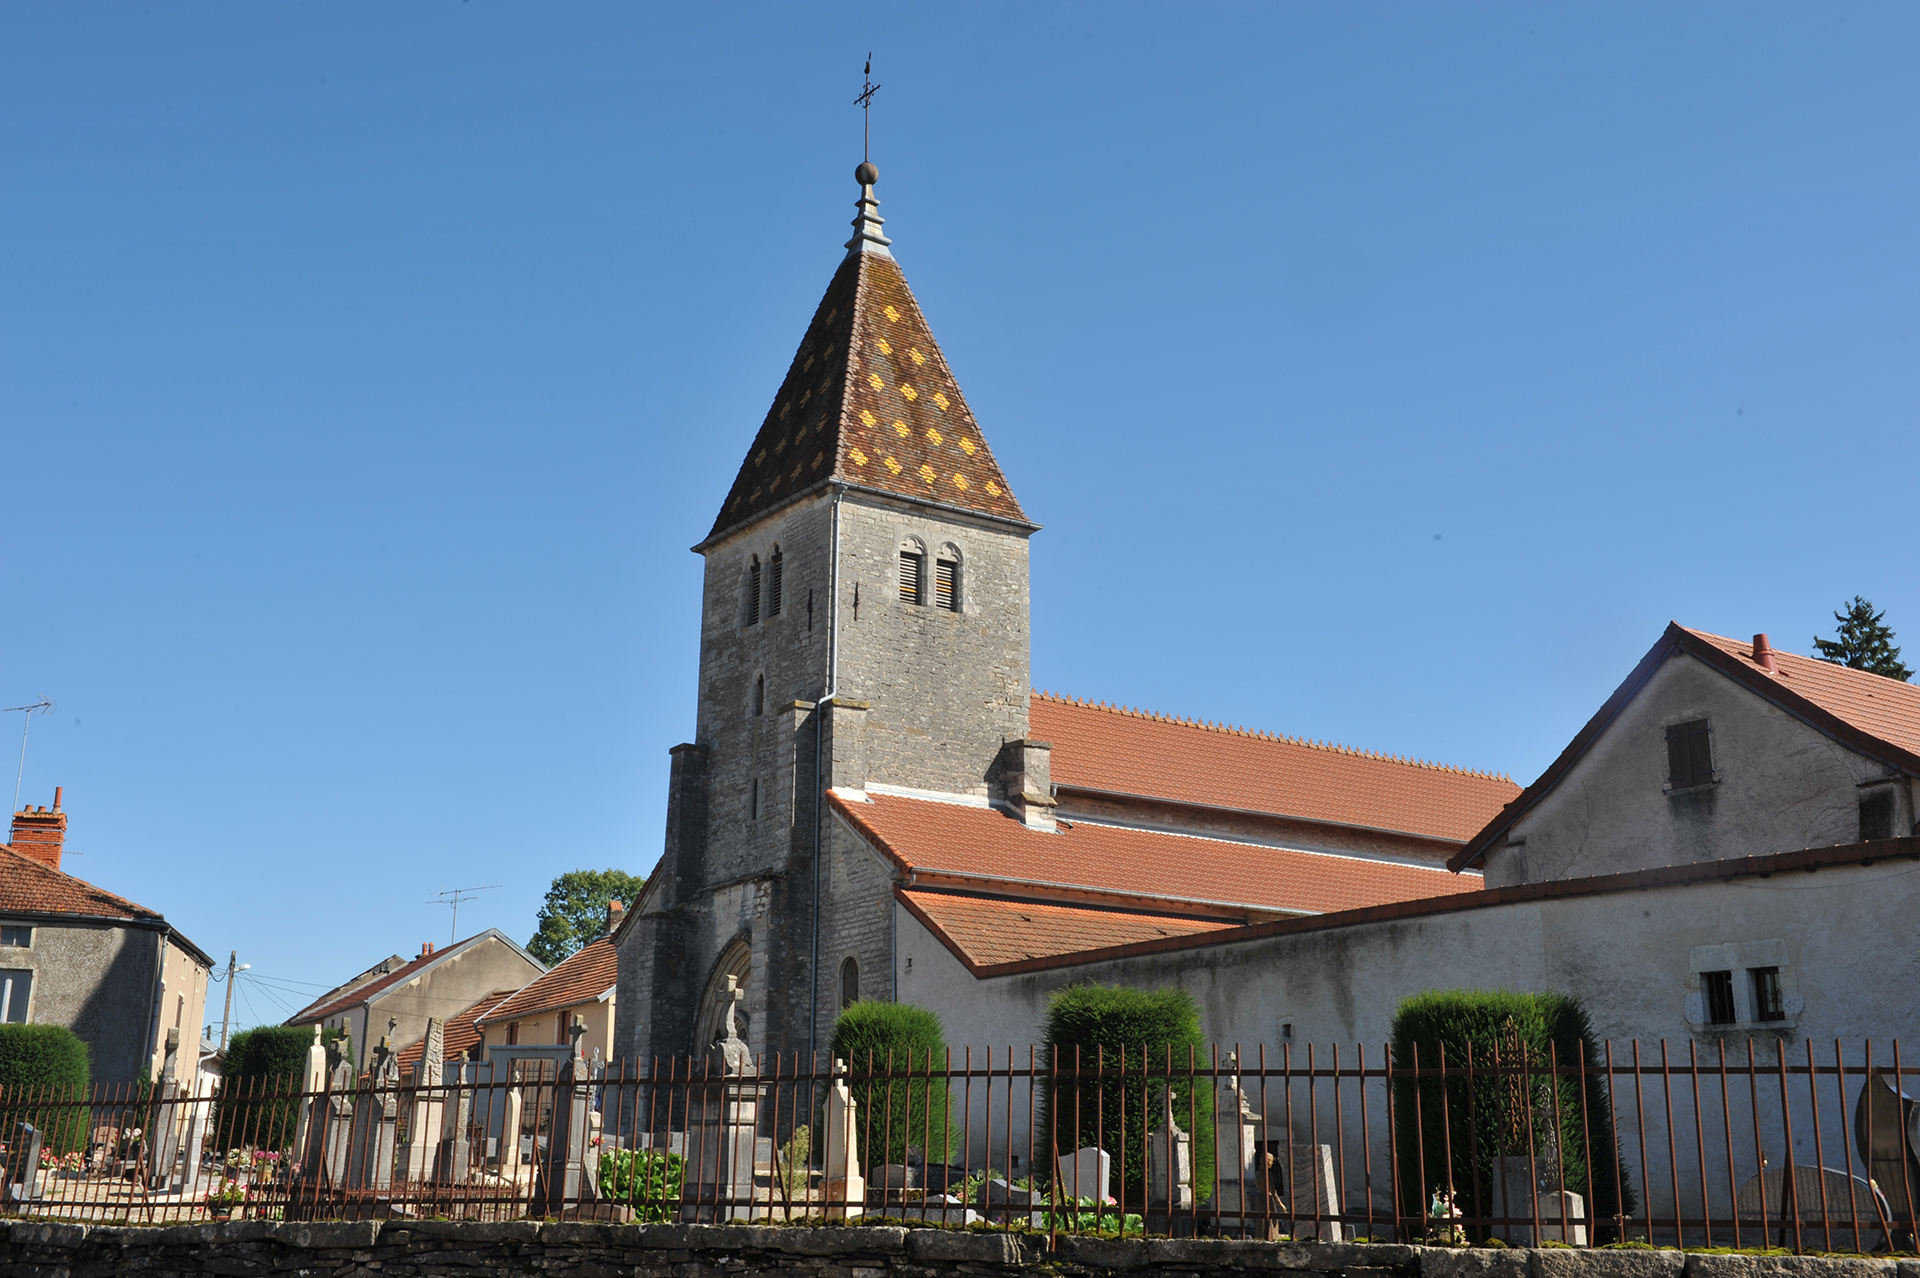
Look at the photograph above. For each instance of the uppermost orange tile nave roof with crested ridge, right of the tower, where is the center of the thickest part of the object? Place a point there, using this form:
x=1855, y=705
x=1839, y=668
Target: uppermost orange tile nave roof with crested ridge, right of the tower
x=1116, y=751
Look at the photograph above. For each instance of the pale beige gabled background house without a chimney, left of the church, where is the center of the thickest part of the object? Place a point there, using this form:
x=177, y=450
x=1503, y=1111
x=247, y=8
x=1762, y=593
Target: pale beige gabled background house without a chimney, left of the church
x=435, y=983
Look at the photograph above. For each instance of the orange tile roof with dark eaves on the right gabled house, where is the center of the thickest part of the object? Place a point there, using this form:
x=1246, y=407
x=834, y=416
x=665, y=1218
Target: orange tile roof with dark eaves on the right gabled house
x=1869, y=713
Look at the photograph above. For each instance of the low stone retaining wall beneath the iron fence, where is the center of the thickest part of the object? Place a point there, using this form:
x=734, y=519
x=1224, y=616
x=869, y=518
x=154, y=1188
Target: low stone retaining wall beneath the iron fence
x=462, y=1250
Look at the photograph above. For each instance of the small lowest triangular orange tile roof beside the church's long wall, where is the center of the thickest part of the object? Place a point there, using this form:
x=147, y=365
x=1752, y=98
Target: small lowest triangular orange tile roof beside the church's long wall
x=992, y=930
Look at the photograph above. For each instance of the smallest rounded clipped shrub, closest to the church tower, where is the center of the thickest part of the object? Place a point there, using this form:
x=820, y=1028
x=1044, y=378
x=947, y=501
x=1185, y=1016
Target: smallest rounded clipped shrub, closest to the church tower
x=894, y=1041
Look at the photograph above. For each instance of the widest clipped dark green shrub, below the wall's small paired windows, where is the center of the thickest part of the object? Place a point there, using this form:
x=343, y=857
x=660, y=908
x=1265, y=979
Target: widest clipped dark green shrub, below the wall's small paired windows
x=1502, y=1114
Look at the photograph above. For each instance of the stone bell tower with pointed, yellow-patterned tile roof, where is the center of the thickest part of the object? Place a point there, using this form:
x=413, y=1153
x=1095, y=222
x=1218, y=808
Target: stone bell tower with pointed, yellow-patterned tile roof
x=863, y=623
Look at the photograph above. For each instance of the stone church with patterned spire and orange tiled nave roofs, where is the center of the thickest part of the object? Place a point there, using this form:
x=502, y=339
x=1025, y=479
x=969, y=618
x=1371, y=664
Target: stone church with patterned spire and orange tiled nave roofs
x=873, y=774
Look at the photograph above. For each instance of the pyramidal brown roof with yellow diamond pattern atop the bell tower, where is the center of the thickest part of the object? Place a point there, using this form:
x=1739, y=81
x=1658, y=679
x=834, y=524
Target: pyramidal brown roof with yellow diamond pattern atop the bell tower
x=869, y=402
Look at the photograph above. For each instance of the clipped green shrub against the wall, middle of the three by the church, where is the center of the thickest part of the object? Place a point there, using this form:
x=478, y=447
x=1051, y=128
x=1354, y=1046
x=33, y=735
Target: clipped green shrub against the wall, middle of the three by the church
x=1097, y=1024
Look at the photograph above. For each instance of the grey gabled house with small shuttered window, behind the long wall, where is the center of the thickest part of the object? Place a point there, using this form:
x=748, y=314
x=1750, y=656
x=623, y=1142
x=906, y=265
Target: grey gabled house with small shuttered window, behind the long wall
x=1716, y=749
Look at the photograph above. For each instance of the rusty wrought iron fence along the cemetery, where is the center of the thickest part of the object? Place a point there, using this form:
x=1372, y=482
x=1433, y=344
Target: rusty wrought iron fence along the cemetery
x=1714, y=1143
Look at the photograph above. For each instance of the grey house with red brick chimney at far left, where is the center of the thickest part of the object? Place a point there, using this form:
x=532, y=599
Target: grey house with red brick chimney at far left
x=74, y=955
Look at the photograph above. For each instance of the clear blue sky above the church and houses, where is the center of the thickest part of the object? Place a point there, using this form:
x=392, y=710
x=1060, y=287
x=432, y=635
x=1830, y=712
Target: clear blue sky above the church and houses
x=1381, y=373
